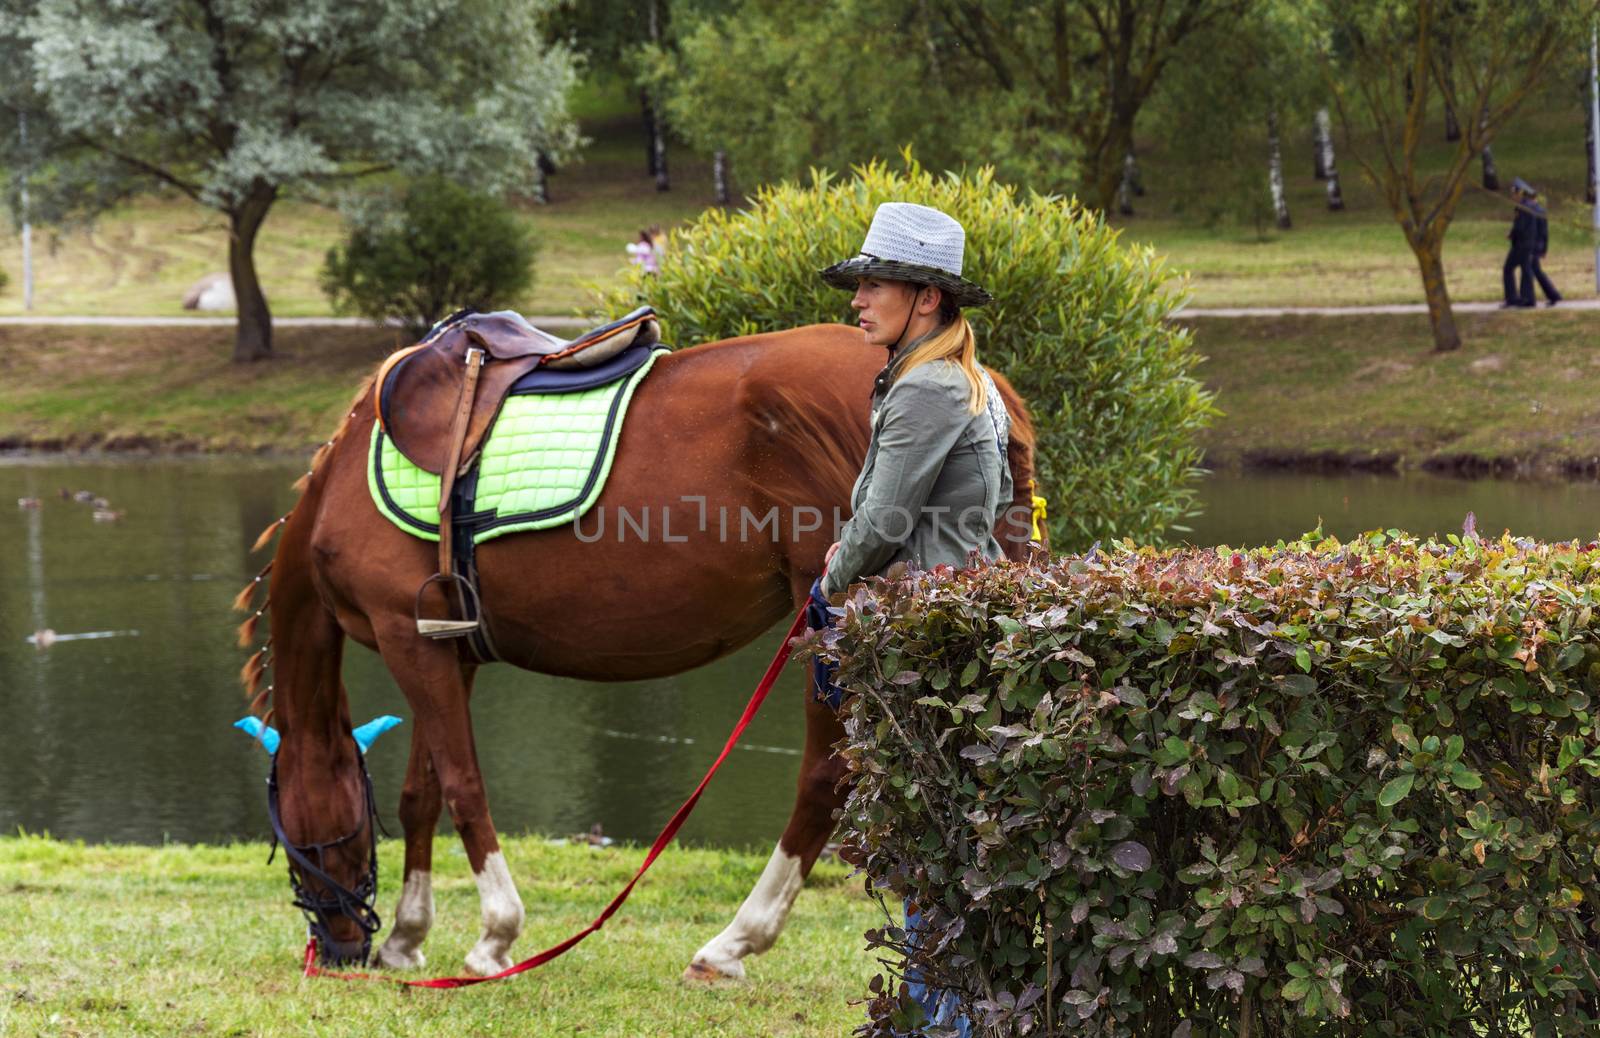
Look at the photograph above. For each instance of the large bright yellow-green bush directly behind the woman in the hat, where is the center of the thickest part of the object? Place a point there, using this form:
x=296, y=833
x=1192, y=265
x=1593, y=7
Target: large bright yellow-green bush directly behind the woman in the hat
x=1078, y=325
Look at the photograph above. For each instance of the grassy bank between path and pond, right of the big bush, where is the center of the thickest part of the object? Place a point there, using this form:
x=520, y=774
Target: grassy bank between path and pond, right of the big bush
x=1521, y=388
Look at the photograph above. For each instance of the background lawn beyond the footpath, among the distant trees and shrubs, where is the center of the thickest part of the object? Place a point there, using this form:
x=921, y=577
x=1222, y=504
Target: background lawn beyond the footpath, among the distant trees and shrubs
x=142, y=258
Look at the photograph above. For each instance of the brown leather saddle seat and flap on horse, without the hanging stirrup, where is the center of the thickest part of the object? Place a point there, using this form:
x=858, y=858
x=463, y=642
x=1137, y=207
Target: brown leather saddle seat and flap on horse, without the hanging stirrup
x=418, y=391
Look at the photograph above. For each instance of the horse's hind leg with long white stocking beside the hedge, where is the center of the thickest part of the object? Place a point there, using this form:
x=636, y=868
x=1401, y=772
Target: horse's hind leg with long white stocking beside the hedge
x=762, y=916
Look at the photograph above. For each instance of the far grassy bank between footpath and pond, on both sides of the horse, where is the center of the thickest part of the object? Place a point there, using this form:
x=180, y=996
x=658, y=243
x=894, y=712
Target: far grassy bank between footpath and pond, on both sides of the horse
x=1353, y=388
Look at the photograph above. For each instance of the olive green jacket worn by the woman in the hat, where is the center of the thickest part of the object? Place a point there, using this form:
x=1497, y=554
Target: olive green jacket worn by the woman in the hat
x=934, y=481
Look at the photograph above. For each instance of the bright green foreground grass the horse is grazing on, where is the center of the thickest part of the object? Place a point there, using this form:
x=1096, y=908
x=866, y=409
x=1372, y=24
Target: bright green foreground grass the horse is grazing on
x=202, y=941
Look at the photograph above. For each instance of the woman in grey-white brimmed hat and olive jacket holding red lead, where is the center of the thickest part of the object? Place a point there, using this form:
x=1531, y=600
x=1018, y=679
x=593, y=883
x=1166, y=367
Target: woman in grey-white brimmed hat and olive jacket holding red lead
x=935, y=476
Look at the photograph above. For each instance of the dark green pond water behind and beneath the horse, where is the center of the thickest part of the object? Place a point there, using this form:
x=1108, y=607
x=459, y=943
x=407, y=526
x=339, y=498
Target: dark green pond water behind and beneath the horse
x=121, y=732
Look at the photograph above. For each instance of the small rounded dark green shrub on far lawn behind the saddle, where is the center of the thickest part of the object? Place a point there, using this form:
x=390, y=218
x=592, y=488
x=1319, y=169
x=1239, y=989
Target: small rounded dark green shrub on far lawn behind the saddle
x=436, y=252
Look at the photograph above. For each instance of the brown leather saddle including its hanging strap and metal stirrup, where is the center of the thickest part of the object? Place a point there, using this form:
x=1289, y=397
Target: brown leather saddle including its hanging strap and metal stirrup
x=439, y=399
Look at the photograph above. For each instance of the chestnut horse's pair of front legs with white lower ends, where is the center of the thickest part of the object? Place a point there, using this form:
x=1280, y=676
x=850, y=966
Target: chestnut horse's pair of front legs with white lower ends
x=438, y=687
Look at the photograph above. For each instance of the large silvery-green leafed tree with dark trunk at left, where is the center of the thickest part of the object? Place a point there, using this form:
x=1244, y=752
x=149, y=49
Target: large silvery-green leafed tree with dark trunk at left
x=239, y=105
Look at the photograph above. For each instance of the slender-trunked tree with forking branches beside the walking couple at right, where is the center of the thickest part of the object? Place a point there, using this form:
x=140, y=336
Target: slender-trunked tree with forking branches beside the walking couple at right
x=1386, y=58
